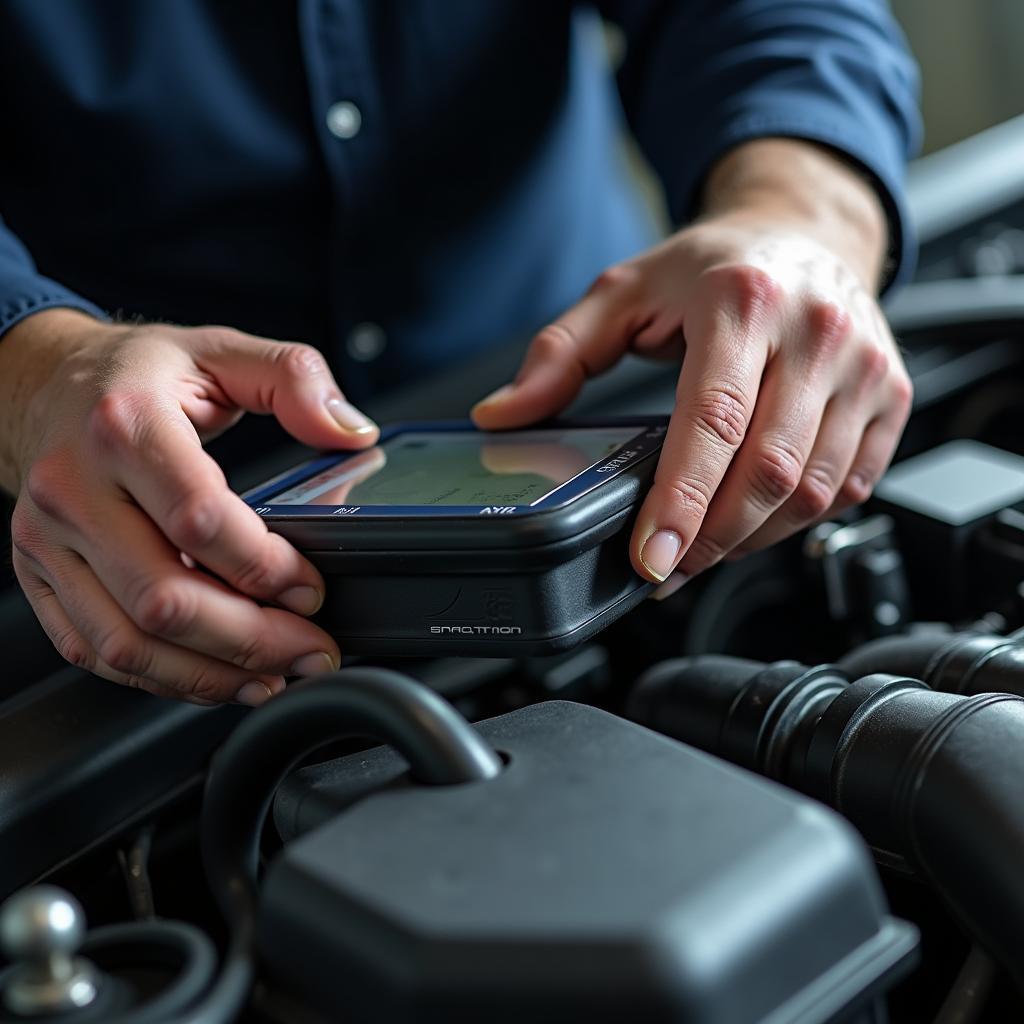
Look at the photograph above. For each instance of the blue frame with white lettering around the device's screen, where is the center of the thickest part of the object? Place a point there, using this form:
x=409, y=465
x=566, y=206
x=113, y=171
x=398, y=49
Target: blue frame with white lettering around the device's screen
x=651, y=434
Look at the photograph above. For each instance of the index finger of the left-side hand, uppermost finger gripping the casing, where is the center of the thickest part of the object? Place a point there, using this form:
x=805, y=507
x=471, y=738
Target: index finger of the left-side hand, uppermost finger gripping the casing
x=156, y=456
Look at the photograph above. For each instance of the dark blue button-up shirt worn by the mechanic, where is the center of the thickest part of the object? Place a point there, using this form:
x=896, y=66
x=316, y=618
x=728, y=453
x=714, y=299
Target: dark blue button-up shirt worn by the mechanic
x=450, y=172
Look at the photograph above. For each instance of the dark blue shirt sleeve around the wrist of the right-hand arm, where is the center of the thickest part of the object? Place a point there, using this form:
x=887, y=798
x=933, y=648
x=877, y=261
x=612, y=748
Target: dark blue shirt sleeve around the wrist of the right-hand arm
x=701, y=78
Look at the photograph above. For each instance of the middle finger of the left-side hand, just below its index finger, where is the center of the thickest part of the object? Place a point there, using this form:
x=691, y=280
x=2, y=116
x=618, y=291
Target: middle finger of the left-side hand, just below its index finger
x=145, y=575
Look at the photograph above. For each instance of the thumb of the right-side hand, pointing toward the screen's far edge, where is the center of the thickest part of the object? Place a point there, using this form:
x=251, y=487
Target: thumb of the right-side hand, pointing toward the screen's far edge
x=584, y=342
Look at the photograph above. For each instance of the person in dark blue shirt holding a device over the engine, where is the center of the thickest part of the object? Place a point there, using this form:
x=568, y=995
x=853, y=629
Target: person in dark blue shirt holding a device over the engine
x=366, y=191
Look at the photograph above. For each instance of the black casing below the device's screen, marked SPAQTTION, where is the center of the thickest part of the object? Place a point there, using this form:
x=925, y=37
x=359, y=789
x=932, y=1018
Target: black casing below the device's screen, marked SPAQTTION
x=483, y=585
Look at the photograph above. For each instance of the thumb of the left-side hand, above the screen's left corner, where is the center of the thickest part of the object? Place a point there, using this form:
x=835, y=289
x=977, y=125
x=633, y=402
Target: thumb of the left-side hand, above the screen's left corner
x=291, y=381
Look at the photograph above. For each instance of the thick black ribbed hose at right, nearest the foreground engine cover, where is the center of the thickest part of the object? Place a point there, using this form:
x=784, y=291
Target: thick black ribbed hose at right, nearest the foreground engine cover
x=933, y=779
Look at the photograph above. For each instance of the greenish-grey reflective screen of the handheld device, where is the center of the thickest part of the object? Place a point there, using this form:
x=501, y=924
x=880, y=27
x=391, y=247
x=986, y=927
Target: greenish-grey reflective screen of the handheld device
x=460, y=468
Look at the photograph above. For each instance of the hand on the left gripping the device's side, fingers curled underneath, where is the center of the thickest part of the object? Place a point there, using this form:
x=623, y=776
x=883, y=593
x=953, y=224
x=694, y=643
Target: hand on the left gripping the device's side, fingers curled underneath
x=118, y=505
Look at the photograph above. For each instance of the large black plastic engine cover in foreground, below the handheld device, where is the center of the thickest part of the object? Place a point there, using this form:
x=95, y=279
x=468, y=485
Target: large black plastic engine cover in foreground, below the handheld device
x=607, y=875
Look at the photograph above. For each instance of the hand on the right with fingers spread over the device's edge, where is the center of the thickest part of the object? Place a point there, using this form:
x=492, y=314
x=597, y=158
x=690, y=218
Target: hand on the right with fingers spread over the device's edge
x=792, y=397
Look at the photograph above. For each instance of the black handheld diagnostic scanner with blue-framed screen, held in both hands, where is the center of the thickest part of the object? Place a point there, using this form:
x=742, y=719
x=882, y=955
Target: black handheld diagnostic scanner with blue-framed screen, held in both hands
x=447, y=540
